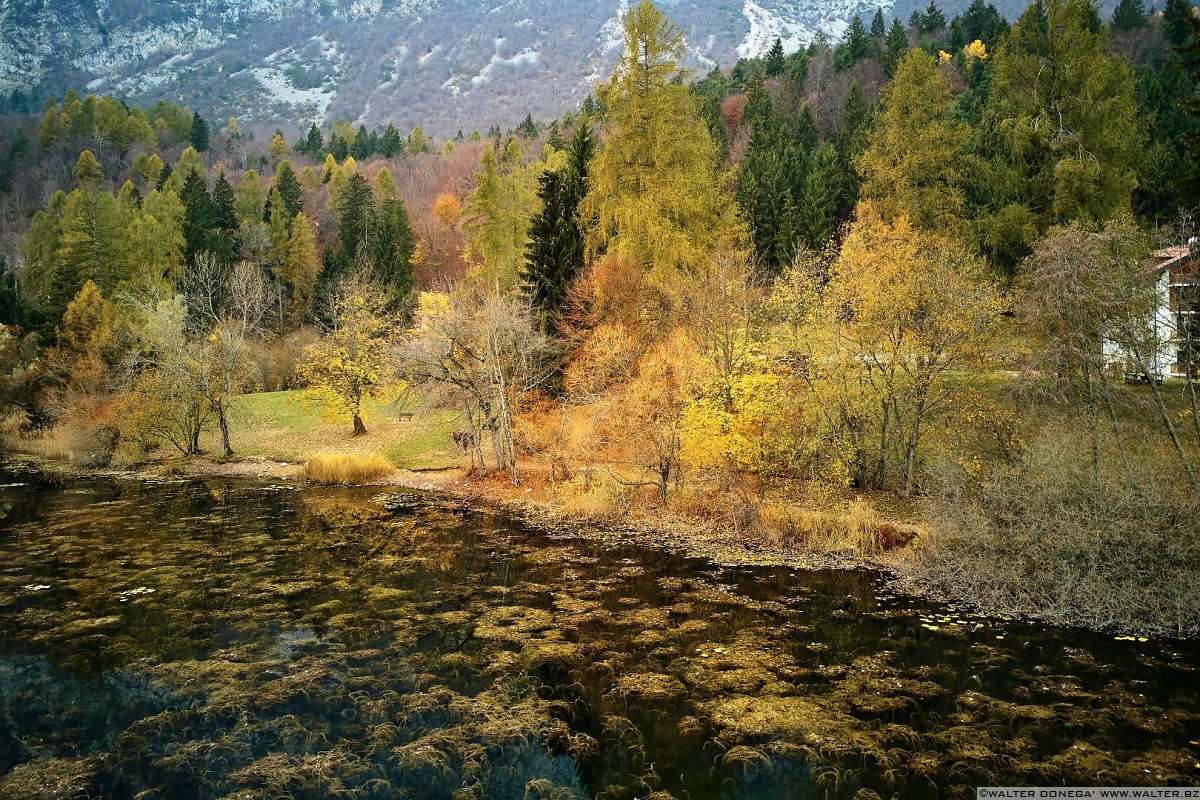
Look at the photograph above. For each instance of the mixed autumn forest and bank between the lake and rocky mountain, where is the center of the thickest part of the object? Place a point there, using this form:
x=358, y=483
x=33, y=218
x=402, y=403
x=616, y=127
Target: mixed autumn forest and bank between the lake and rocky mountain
x=860, y=299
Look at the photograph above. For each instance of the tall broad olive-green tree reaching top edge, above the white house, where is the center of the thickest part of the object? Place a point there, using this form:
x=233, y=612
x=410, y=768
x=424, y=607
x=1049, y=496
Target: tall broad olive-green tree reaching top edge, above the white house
x=1096, y=112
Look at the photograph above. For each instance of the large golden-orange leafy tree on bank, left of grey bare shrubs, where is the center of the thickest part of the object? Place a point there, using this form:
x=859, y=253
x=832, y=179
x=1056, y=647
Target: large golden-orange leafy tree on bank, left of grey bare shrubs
x=902, y=311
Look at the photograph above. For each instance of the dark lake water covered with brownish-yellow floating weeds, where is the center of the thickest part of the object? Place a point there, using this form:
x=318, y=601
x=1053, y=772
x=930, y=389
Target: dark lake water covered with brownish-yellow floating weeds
x=215, y=639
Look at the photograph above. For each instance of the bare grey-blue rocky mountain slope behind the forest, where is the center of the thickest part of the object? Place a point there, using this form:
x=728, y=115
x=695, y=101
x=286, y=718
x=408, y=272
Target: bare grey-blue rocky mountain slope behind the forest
x=443, y=64
